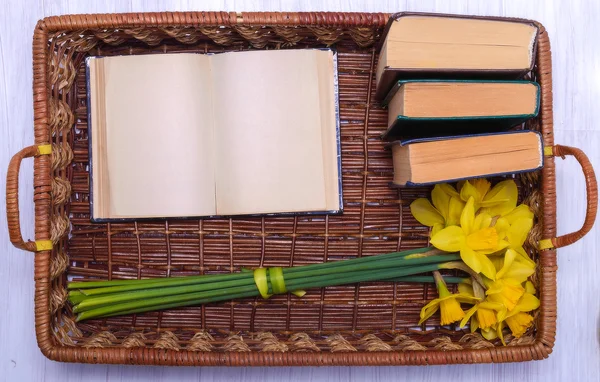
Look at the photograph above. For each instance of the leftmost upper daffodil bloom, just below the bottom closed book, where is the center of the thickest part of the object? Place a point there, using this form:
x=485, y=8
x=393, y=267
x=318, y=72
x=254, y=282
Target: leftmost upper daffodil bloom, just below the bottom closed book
x=445, y=211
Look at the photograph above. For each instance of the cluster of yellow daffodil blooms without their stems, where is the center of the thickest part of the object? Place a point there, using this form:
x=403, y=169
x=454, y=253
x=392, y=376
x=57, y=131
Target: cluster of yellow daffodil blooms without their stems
x=487, y=228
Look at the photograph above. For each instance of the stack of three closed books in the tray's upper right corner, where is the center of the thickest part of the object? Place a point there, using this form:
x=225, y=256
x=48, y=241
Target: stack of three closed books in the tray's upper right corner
x=455, y=91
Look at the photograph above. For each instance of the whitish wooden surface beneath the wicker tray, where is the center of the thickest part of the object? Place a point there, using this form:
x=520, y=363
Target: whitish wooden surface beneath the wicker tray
x=575, y=36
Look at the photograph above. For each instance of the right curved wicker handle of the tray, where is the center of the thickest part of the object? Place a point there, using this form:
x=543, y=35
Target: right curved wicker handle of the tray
x=591, y=188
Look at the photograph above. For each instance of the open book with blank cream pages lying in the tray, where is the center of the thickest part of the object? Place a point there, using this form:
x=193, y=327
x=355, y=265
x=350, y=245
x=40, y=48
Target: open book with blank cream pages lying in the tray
x=236, y=133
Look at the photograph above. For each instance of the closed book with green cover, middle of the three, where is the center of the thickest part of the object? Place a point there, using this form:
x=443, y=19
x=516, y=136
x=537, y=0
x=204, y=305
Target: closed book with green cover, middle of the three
x=425, y=108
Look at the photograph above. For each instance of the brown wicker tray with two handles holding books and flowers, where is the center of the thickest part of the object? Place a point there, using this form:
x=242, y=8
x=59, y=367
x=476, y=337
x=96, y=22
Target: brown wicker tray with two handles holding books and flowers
x=366, y=324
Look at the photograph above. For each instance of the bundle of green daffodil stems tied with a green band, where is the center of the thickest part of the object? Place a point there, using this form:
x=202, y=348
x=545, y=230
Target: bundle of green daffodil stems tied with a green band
x=98, y=299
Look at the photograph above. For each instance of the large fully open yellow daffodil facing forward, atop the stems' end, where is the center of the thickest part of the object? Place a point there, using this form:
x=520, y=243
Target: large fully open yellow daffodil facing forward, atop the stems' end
x=474, y=239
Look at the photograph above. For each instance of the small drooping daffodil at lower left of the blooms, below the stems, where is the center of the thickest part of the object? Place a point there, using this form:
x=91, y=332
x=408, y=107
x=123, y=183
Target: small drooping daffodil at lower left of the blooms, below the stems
x=447, y=303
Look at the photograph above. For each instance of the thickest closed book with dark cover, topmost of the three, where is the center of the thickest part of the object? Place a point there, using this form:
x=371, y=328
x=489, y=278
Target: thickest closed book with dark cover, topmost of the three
x=436, y=46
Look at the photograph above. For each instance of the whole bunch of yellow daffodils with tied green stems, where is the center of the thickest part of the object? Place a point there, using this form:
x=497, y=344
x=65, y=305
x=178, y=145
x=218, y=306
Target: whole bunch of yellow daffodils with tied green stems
x=475, y=228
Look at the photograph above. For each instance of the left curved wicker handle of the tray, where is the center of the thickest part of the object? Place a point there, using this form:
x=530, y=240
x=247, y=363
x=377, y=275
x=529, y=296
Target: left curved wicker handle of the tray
x=12, y=199
